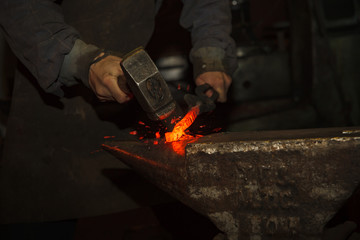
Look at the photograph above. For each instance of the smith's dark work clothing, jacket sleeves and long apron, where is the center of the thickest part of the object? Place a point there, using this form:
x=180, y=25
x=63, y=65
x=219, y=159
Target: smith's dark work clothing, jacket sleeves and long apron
x=53, y=167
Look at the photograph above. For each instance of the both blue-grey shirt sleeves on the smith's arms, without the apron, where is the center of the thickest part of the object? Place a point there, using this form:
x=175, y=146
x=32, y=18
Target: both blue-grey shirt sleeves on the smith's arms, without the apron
x=40, y=38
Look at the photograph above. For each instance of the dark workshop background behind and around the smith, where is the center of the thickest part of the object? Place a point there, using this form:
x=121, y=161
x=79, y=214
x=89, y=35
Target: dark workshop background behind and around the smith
x=298, y=68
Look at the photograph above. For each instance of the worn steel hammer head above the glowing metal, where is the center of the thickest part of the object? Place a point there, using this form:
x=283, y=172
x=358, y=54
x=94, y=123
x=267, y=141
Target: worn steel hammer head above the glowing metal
x=147, y=84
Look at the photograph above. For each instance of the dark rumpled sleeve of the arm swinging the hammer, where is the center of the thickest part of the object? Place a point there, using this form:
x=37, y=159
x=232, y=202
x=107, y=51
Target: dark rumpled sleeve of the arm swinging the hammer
x=38, y=36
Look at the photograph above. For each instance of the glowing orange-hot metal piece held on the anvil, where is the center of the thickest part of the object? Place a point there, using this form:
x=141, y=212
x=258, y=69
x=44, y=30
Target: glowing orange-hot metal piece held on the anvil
x=180, y=127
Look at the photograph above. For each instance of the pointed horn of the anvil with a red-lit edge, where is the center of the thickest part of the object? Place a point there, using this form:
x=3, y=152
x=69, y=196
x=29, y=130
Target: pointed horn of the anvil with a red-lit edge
x=159, y=162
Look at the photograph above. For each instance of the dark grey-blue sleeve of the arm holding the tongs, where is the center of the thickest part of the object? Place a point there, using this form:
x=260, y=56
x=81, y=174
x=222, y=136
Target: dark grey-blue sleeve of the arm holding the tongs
x=210, y=24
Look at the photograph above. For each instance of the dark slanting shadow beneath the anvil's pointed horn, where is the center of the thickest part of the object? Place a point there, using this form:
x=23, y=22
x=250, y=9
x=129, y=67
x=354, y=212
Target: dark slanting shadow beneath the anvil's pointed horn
x=174, y=218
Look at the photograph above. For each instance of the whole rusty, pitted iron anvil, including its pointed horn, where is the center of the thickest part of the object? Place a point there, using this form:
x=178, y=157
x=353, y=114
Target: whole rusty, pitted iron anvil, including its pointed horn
x=257, y=185
